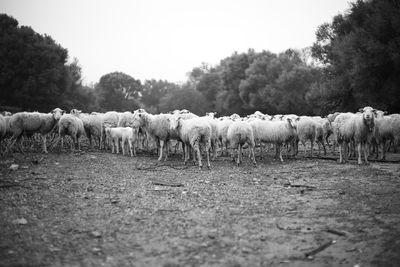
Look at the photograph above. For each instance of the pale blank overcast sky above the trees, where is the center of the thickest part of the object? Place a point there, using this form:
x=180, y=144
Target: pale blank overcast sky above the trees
x=166, y=39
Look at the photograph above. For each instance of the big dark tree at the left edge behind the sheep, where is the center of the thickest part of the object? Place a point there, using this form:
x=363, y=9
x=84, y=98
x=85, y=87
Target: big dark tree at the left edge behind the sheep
x=33, y=74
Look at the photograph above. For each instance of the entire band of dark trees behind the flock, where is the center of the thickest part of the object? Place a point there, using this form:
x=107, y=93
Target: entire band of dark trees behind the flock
x=354, y=62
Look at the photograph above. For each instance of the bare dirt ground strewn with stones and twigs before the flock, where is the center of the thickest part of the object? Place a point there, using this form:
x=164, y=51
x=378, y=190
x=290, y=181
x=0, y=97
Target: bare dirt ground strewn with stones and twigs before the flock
x=99, y=209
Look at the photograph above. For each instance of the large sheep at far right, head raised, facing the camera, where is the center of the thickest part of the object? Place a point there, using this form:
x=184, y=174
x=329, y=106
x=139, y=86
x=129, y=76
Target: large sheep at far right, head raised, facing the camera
x=359, y=128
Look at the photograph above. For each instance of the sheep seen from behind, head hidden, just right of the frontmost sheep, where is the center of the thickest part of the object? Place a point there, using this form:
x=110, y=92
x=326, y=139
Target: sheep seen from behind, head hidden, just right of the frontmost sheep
x=239, y=133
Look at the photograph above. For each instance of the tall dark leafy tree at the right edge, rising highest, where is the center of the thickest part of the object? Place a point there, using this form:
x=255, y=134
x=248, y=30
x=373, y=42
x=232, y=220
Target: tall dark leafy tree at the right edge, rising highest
x=361, y=53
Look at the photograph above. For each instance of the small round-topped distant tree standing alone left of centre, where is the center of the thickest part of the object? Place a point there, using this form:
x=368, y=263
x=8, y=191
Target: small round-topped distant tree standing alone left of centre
x=118, y=91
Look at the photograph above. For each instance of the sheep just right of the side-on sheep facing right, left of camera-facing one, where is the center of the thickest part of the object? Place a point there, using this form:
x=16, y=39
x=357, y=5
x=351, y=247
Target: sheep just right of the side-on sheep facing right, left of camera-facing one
x=307, y=129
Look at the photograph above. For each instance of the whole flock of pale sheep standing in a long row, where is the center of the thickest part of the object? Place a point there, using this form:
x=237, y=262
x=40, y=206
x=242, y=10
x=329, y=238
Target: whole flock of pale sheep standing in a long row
x=367, y=130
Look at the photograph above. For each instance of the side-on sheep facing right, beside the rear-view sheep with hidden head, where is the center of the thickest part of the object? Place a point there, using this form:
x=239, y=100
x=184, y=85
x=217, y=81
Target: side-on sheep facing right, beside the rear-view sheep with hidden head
x=276, y=132
